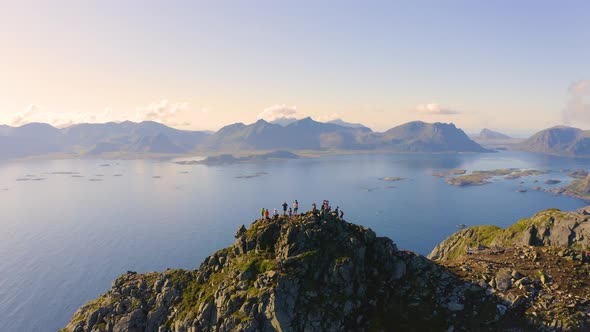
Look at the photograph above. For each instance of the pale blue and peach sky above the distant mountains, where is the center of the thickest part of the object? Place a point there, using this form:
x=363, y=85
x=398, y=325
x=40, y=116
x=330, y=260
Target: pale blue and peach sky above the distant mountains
x=511, y=65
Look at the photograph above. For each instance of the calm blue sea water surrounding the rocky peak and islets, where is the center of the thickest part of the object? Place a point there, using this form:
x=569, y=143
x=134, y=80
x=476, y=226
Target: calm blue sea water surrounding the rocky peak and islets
x=70, y=227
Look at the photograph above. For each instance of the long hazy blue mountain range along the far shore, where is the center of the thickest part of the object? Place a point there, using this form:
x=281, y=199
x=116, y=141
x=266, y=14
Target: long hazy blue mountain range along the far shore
x=130, y=138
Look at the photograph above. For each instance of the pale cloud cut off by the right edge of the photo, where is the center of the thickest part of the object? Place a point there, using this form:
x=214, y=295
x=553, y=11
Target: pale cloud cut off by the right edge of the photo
x=577, y=111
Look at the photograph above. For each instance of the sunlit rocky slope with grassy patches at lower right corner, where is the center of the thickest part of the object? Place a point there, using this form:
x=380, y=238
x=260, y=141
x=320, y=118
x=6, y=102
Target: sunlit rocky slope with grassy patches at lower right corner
x=538, y=266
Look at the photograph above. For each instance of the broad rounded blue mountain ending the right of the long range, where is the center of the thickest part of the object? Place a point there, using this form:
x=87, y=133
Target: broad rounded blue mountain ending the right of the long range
x=420, y=136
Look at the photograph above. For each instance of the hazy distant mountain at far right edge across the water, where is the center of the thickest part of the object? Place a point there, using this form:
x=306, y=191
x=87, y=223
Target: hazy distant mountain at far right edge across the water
x=559, y=140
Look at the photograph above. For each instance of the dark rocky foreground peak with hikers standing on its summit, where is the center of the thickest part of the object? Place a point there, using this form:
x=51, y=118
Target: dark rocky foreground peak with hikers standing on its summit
x=302, y=273
